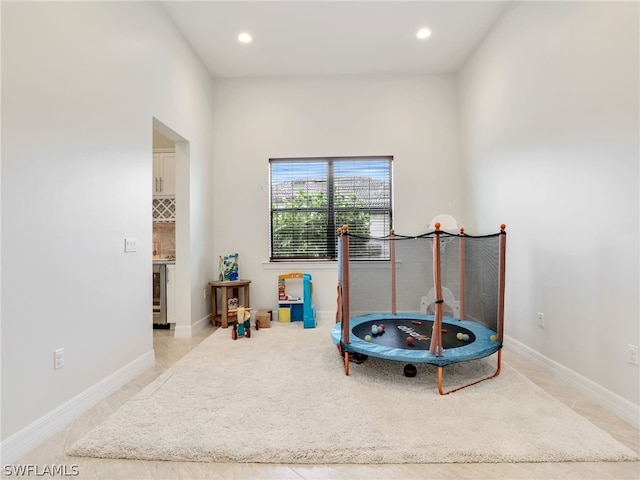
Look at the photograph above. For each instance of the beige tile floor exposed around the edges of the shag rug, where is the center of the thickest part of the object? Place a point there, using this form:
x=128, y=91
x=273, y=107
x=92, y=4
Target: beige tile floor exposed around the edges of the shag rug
x=169, y=350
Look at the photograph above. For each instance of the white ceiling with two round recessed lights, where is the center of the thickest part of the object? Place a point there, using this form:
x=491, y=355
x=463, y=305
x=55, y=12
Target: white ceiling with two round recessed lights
x=315, y=38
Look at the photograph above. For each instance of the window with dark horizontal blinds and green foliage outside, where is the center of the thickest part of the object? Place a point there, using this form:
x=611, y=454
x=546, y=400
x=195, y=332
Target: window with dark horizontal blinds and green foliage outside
x=312, y=197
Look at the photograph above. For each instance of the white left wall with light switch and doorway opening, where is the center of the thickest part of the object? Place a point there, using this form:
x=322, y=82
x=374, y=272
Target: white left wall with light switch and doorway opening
x=81, y=83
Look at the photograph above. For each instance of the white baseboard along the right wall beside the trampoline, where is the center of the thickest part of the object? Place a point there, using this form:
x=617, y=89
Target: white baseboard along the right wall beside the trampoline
x=620, y=407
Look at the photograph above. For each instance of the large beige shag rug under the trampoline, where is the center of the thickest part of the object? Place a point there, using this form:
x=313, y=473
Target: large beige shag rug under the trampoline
x=282, y=397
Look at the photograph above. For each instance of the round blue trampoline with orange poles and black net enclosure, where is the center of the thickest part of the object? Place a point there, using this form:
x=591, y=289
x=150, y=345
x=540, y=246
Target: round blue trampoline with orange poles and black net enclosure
x=457, y=274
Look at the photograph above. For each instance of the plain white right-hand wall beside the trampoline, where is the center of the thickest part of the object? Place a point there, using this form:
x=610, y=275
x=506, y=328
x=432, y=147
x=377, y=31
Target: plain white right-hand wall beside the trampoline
x=549, y=115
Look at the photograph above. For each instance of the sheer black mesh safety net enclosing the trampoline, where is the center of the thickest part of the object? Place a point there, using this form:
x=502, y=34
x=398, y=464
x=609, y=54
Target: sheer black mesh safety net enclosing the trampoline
x=469, y=277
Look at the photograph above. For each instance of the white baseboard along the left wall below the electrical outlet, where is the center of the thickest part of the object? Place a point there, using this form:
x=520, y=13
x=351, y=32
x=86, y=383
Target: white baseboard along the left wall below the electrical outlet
x=22, y=442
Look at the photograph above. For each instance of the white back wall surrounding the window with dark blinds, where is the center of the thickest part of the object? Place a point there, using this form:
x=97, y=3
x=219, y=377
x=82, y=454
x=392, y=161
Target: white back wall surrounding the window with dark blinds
x=413, y=118
